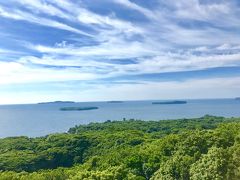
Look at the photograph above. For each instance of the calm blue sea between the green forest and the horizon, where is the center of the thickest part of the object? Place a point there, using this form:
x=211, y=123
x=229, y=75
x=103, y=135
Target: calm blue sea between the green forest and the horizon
x=42, y=119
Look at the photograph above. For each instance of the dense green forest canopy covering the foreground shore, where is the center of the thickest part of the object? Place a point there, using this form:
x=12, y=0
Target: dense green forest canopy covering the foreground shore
x=201, y=148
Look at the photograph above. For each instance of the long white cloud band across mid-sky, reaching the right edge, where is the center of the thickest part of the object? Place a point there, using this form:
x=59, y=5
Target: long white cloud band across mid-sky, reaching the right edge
x=155, y=62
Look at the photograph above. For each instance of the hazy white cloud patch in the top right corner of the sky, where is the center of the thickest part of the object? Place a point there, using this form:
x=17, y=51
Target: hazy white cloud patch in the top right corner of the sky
x=219, y=13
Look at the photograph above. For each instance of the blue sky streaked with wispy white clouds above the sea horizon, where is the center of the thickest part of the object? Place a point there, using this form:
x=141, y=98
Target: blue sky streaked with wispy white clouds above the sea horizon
x=95, y=50
